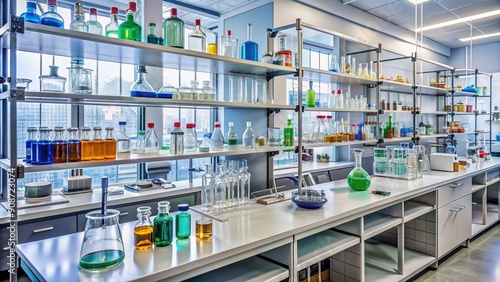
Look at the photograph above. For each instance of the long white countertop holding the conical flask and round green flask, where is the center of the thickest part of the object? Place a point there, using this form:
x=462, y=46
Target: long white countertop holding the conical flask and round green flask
x=250, y=228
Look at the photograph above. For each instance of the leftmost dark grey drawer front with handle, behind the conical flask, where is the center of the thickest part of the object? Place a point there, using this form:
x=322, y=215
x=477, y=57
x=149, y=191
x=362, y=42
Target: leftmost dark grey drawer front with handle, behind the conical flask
x=46, y=229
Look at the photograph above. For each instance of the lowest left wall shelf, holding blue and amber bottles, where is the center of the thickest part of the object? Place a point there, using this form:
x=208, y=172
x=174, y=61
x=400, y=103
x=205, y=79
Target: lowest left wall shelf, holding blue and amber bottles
x=122, y=159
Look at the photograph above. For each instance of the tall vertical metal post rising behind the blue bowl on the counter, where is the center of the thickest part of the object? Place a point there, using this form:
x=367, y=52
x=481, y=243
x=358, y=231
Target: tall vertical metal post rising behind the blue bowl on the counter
x=300, y=76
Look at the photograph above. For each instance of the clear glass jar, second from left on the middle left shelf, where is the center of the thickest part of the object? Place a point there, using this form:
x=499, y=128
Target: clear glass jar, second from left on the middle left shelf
x=80, y=78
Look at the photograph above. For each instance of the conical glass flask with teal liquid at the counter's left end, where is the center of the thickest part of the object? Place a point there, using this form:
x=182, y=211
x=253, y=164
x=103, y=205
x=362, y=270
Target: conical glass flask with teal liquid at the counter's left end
x=102, y=245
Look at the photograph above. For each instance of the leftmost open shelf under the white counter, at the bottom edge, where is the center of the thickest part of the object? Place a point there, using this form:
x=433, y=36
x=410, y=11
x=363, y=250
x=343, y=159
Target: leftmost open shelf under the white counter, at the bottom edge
x=253, y=269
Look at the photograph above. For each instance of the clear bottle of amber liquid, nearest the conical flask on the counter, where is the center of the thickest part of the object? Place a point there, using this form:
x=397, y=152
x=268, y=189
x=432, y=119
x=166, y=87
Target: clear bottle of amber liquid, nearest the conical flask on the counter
x=143, y=229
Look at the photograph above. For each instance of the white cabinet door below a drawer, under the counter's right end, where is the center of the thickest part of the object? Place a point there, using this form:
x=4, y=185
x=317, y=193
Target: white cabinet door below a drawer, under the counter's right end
x=454, y=224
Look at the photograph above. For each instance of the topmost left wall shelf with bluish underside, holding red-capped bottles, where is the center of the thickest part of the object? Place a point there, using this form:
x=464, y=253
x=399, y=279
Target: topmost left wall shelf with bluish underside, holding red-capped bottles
x=69, y=43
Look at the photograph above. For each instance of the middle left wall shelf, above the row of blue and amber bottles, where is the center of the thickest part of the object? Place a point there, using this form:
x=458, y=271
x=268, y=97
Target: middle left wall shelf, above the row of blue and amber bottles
x=110, y=100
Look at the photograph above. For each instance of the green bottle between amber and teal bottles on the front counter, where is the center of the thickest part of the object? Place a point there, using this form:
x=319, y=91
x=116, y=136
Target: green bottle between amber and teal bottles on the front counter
x=163, y=225
